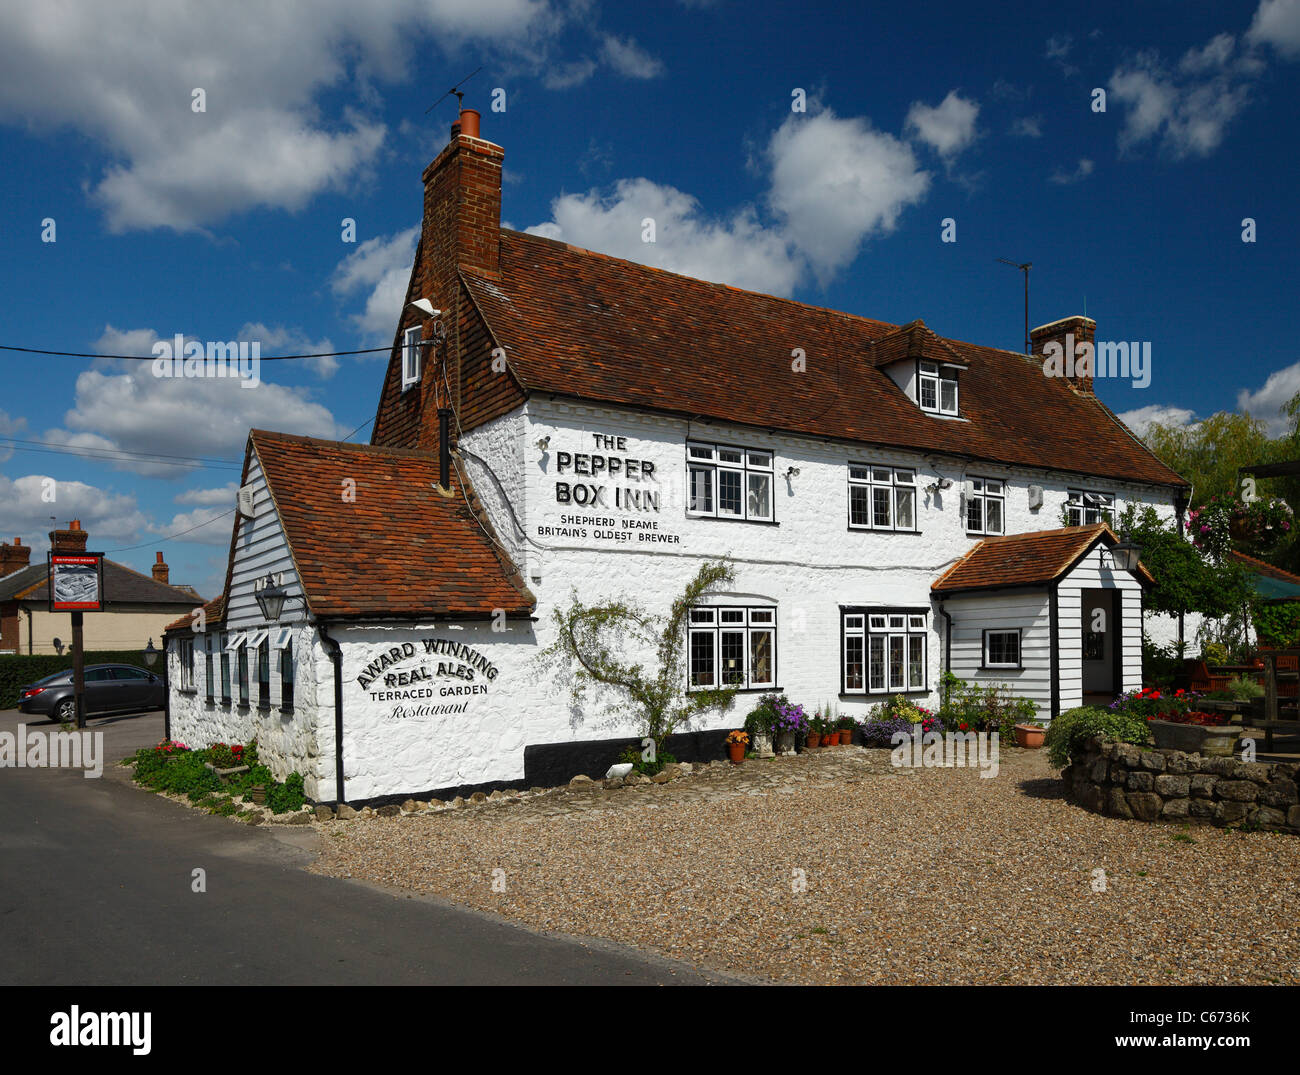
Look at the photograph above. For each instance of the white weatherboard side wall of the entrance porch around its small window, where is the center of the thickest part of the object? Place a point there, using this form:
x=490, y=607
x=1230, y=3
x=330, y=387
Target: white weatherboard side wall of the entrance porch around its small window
x=1030, y=614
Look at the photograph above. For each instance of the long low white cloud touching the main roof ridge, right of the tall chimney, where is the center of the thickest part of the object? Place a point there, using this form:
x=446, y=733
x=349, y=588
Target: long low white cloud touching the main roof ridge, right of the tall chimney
x=738, y=250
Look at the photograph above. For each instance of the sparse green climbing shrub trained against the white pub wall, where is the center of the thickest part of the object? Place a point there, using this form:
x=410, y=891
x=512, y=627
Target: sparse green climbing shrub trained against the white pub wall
x=601, y=647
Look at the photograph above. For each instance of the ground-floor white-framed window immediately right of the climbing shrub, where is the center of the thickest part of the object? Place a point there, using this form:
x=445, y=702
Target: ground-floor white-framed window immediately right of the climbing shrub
x=730, y=647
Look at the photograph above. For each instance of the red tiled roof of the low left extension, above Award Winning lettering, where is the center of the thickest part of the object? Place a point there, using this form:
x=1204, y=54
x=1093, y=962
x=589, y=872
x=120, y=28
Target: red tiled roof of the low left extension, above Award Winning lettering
x=401, y=549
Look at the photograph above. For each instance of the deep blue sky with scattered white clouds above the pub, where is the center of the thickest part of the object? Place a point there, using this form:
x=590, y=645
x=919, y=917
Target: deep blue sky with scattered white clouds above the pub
x=227, y=224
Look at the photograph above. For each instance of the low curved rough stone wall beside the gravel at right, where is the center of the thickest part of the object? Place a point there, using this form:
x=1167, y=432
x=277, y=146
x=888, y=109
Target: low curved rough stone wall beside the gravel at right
x=1123, y=781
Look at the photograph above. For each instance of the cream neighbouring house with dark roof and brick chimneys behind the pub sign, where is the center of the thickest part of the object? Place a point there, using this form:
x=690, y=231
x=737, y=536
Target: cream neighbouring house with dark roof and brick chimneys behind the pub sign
x=137, y=608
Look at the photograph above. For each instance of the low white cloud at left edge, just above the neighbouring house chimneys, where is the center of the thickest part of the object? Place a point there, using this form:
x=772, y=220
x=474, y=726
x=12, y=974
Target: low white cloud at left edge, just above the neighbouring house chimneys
x=110, y=518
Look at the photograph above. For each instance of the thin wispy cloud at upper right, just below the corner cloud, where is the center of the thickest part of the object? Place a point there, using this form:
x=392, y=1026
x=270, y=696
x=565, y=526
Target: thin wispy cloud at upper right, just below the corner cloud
x=1188, y=112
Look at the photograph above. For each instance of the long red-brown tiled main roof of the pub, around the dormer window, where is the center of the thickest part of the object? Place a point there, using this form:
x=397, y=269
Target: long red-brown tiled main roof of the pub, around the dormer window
x=582, y=324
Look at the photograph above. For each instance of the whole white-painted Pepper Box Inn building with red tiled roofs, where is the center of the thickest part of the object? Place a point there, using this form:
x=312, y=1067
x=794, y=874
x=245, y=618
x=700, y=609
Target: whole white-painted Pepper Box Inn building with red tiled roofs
x=554, y=422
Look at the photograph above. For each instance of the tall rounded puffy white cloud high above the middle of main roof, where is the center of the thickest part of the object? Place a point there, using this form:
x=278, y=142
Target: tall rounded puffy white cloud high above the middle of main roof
x=838, y=183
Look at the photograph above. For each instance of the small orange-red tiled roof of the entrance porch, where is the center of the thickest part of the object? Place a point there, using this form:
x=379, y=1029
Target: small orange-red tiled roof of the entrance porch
x=1025, y=560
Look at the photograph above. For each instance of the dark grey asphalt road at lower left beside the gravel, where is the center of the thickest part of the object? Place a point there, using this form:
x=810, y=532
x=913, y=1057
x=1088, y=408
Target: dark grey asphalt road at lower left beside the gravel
x=96, y=890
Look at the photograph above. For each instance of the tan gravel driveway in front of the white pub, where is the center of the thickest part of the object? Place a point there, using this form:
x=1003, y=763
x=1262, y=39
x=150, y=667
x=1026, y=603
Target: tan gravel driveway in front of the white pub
x=911, y=877
